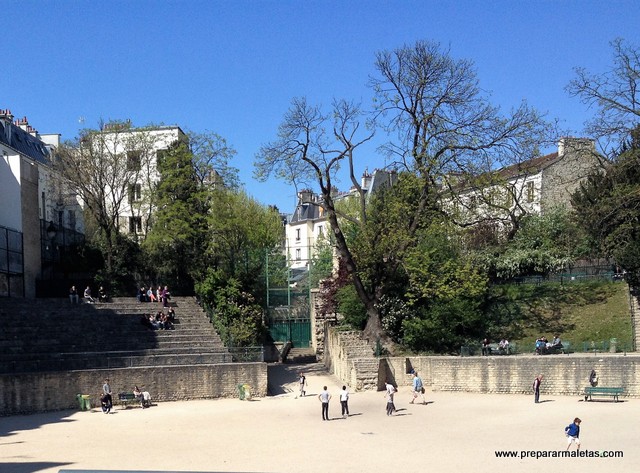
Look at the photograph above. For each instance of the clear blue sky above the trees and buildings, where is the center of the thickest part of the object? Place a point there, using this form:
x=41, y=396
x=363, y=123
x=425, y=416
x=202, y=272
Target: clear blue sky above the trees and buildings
x=233, y=66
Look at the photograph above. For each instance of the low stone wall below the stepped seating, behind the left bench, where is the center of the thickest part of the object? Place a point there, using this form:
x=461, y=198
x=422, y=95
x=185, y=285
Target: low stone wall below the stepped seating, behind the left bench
x=48, y=391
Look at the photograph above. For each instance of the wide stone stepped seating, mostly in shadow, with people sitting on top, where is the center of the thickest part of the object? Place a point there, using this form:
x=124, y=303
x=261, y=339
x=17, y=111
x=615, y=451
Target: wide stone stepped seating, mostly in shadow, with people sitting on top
x=54, y=335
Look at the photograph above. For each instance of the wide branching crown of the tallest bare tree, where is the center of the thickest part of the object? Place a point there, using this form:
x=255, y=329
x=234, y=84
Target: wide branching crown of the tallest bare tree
x=448, y=133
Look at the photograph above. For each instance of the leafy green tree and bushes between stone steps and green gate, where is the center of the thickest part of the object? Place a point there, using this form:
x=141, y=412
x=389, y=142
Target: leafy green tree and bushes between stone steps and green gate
x=241, y=234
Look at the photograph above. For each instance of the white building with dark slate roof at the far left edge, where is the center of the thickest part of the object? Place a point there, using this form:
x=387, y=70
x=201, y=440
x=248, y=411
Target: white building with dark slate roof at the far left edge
x=32, y=201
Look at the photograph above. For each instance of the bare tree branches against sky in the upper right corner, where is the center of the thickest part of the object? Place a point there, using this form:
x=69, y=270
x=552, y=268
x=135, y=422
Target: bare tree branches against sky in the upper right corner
x=615, y=96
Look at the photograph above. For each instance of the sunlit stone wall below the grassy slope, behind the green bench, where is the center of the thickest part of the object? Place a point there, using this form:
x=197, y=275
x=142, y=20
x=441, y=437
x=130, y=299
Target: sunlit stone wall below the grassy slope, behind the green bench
x=563, y=374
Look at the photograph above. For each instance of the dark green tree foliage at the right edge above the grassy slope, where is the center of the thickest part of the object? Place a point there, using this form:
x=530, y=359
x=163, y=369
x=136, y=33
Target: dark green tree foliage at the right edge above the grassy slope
x=607, y=207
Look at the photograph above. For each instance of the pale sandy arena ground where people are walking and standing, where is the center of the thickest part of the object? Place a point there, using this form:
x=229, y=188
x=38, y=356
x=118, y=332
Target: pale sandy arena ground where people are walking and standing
x=284, y=433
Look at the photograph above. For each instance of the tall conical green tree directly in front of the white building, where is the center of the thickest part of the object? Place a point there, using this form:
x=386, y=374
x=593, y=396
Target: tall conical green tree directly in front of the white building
x=178, y=233
